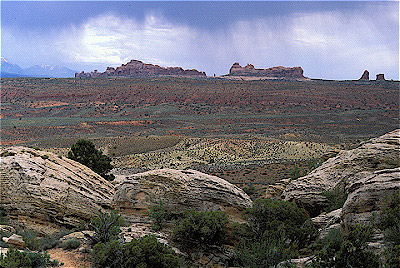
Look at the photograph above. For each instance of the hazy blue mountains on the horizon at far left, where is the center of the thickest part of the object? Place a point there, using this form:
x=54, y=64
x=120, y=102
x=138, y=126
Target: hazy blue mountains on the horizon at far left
x=9, y=69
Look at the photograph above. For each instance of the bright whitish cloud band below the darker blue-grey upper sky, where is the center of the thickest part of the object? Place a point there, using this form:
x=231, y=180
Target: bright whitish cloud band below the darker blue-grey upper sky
x=332, y=45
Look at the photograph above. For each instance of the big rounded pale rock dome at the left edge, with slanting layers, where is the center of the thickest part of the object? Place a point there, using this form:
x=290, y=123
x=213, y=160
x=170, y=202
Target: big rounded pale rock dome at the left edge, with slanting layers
x=42, y=190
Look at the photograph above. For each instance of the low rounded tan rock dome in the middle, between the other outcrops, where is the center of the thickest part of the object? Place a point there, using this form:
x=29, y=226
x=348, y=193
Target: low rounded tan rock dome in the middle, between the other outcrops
x=179, y=190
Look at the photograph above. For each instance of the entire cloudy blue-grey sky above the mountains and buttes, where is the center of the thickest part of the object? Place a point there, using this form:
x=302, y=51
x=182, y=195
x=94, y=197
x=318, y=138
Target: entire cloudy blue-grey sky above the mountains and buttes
x=329, y=40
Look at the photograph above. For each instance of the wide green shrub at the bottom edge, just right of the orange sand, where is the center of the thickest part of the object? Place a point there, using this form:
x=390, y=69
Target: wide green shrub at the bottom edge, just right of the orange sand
x=143, y=252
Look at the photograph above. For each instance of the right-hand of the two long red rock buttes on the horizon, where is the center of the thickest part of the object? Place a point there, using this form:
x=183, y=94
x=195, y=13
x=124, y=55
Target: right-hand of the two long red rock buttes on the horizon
x=274, y=72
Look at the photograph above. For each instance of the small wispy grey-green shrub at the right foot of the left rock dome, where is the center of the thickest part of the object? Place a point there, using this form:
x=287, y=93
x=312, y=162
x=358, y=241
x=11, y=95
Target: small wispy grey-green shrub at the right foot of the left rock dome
x=106, y=227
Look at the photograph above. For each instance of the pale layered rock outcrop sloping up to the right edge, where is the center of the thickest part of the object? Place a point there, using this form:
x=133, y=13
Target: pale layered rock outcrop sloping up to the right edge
x=368, y=174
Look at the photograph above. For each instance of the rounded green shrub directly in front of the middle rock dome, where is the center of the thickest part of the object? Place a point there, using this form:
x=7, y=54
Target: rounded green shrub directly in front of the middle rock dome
x=200, y=229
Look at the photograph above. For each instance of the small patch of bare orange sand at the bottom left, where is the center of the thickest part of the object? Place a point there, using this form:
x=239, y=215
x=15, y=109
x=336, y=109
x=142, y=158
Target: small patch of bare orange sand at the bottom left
x=71, y=259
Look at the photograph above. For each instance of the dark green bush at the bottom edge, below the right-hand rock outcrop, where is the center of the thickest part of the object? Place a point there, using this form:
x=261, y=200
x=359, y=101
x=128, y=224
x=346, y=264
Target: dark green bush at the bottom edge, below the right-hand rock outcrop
x=347, y=250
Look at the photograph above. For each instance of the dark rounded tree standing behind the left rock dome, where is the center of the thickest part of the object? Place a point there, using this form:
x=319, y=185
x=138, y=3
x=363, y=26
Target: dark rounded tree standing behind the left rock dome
x=85, y=152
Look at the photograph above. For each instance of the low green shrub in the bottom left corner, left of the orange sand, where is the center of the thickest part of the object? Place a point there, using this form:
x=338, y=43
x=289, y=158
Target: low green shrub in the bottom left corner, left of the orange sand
x=14, y=258
